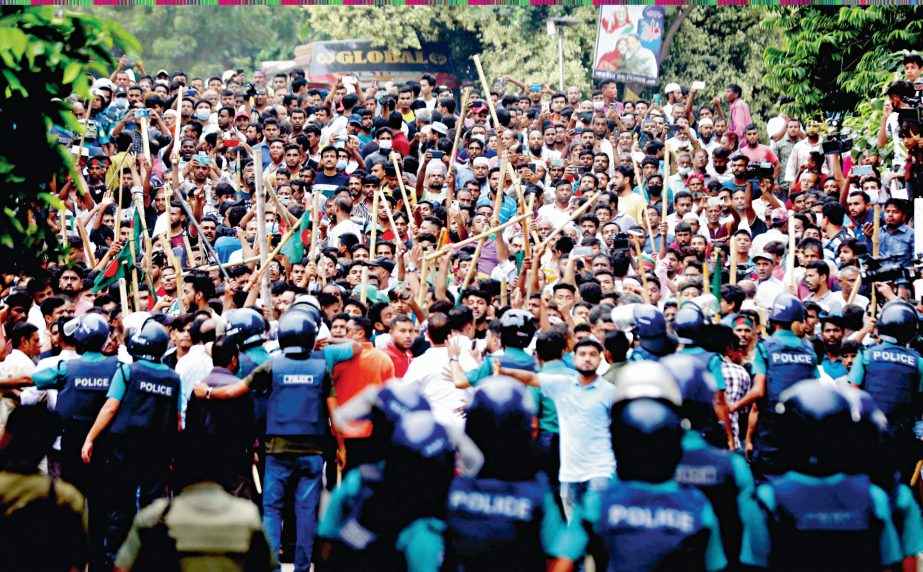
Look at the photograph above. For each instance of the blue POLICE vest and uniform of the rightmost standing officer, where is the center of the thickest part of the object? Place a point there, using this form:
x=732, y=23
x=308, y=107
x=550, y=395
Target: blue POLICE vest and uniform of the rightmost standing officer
x=893, y=376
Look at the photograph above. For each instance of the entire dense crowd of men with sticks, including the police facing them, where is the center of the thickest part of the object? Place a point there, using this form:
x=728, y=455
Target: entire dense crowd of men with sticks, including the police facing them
x=503, y=328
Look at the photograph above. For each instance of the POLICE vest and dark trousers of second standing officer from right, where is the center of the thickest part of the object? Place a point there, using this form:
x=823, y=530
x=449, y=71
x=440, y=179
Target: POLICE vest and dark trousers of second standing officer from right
x=785, y=359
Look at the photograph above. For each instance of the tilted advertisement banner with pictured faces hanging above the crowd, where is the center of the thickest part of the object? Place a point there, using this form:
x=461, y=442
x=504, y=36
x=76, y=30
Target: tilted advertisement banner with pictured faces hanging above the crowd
x=628, y=41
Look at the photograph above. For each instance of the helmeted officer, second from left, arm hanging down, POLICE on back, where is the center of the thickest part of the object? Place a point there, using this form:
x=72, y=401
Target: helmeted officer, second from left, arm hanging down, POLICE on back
x=142, y=413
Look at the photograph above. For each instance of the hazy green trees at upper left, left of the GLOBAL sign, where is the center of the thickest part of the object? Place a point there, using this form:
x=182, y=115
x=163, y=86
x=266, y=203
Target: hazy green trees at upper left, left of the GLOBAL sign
x=206, y=40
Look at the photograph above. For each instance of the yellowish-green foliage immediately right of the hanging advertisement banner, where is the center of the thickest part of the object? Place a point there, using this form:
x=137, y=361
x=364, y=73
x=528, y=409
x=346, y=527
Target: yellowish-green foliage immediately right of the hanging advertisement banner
x=722, y=46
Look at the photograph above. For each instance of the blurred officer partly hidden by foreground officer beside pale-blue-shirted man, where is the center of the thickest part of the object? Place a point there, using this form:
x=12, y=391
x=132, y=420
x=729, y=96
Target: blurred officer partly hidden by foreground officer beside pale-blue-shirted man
x=722, y=476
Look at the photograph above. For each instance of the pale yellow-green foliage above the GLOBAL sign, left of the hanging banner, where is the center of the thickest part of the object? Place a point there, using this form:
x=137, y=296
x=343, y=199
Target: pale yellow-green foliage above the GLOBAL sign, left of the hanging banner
x=510, y=40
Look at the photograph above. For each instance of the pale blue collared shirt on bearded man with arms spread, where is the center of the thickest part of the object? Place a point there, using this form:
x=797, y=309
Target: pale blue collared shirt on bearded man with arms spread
x=584, y=414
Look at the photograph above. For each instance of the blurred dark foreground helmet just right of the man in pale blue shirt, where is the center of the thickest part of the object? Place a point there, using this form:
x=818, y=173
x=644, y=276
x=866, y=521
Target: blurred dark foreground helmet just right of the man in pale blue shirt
x=646, y=436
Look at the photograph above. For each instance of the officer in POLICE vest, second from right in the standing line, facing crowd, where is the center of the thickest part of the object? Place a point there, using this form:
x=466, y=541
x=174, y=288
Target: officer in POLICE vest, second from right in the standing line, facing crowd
x=780, y=361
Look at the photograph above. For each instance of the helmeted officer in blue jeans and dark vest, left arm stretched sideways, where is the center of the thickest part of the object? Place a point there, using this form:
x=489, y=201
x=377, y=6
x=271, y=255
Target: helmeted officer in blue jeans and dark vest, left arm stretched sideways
x=300, y=399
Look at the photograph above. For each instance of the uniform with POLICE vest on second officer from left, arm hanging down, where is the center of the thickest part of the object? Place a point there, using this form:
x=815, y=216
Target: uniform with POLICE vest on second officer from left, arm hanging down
x=143, y=434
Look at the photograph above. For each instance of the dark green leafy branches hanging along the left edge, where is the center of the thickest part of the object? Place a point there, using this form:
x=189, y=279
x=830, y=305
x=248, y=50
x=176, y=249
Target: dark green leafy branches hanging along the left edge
x=45, y=57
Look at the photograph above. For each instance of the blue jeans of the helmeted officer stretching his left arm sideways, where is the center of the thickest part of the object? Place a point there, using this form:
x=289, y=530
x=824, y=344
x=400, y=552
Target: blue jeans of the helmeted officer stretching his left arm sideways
x=301, y=474
